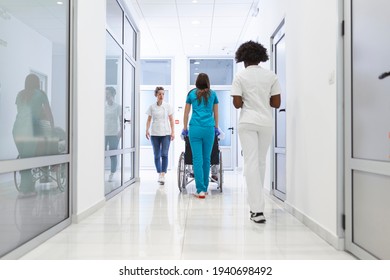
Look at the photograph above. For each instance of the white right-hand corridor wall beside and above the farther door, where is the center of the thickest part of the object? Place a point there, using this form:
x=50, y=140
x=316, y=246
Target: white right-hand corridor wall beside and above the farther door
x=311, y=53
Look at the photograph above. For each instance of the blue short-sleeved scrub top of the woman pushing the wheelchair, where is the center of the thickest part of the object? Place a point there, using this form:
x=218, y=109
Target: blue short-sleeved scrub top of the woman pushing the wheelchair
x=202, y=114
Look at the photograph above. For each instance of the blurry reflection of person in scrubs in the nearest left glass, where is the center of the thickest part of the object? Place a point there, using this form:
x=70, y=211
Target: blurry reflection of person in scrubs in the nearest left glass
x=33, y=125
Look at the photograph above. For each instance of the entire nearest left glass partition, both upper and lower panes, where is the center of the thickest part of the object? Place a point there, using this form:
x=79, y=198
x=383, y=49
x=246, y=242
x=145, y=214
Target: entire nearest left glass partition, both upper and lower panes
x=34, y=118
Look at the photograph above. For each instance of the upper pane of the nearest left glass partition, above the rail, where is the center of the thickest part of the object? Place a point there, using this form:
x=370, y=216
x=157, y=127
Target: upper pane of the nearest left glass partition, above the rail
x=33, y=80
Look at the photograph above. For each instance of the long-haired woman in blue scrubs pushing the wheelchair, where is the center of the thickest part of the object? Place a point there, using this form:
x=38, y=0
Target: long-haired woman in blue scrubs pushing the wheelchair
x=203, y=127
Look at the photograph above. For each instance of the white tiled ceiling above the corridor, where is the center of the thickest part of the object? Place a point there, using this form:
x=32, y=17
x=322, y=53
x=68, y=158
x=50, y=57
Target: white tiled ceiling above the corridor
x=192, y=28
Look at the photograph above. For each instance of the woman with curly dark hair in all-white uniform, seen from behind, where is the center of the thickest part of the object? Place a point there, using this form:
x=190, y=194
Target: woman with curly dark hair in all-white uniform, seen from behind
x=255, y=91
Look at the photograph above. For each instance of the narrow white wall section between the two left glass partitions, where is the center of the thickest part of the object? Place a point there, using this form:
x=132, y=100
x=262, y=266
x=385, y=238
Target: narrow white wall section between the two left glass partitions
x=89, y=106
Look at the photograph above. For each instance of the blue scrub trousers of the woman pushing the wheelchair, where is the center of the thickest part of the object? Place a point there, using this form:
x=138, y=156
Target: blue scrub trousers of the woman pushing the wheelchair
x=201, y=141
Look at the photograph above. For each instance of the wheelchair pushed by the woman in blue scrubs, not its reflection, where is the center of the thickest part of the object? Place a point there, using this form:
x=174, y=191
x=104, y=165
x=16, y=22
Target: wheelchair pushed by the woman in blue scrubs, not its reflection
x=185, y=173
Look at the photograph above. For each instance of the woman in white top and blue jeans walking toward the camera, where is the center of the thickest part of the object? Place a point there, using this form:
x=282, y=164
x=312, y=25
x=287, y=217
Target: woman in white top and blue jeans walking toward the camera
x=162, y=132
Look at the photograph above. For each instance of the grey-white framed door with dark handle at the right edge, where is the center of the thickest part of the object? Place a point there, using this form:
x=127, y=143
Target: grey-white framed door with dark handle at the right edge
x=367, y=128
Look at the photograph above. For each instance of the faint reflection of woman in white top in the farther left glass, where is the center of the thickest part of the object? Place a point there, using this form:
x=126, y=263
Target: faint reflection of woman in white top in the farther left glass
x=113, y=118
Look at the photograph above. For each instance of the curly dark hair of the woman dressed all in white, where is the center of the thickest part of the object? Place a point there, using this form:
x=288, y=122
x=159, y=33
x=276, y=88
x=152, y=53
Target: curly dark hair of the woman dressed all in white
x=252, y=52
